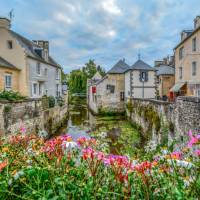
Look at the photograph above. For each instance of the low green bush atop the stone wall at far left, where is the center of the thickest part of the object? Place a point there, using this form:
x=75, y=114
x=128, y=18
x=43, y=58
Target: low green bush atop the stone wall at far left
x=11, y=96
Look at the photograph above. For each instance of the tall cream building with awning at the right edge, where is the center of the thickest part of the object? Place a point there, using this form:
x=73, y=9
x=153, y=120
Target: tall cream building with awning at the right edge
x=187, y=62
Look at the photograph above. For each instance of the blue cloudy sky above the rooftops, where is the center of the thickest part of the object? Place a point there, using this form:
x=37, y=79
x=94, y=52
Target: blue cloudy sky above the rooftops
x=104, y=30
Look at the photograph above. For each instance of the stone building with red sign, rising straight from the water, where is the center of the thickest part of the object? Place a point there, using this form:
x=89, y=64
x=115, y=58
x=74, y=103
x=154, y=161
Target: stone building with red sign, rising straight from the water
x=107, y=94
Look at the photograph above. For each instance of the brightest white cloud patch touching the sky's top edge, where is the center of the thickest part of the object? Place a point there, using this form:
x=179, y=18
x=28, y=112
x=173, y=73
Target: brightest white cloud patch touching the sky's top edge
x=111, y=7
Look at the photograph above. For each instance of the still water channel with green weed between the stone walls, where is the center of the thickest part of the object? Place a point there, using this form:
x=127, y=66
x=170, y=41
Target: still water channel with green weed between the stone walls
x=116, y=133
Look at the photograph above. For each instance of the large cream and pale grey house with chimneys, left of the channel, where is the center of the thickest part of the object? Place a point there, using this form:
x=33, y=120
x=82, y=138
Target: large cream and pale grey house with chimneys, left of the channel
x=38, y=73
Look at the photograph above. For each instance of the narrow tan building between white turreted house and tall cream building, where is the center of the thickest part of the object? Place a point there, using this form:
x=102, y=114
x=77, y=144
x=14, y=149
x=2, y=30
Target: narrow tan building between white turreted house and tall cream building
x=165, y=75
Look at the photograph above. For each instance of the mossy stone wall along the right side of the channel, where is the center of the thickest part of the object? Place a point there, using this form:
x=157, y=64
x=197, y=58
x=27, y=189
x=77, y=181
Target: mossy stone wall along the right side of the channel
x=158, y=118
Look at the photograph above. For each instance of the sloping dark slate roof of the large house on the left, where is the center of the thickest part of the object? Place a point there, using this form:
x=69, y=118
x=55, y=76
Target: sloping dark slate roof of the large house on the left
x=29, y=47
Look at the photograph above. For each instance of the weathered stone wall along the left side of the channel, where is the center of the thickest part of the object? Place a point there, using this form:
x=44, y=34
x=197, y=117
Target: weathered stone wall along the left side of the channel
x=33, y=114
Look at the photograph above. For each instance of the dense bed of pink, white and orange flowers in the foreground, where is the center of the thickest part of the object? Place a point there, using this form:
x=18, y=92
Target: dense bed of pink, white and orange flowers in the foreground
x=32, y=168
